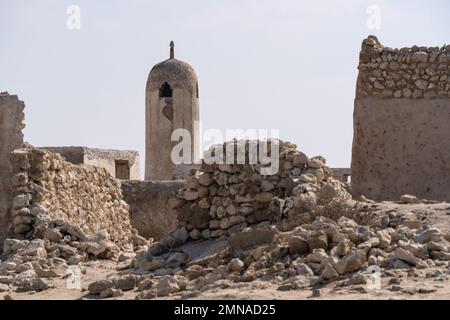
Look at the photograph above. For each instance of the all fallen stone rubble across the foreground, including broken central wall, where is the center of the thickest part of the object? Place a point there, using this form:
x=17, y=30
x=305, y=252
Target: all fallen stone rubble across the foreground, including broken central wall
x=298, y=229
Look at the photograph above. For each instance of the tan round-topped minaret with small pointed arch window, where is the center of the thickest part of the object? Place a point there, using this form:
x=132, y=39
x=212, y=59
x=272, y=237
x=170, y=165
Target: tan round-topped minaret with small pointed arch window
x=171, y=103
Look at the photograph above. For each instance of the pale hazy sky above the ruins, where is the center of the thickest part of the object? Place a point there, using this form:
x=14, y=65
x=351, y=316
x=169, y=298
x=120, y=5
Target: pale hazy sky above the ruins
x=262, y=64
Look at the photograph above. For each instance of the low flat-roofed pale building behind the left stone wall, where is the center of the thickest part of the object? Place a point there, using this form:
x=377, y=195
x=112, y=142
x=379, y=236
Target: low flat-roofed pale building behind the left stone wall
x=112, y=160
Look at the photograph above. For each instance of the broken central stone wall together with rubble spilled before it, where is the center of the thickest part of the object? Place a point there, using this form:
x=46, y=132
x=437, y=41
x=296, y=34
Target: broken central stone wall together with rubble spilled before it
x=301, y=245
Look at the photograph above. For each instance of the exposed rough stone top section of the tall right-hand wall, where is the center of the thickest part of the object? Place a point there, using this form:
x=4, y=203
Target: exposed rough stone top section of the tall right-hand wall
x=411, y=72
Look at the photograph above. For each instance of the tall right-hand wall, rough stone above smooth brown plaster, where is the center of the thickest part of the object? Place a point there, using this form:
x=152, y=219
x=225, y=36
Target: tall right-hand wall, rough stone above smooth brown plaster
x=401, y=117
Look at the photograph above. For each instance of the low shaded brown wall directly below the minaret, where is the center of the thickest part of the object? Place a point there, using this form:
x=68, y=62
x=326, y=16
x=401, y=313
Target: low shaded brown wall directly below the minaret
x=149, y=210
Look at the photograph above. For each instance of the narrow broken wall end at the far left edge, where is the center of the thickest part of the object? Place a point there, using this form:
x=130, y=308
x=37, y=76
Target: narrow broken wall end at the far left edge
x=11, y=137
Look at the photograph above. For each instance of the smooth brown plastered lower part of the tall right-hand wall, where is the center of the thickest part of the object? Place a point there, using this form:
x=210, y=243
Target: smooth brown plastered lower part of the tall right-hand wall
x=401, y=146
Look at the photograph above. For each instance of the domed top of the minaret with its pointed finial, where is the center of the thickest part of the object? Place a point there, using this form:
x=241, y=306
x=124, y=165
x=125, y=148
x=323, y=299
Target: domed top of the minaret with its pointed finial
x=177, y=73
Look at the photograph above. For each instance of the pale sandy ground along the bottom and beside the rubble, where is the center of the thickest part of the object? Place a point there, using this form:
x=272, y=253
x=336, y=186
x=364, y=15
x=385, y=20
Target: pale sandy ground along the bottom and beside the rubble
x=430, y=283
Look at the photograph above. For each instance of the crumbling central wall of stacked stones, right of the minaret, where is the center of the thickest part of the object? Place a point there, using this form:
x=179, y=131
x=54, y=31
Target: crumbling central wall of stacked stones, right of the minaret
x=222, y=199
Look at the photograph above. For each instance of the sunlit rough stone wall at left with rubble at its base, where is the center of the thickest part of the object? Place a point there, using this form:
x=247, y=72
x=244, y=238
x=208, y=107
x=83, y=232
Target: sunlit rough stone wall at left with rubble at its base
x=62, y=215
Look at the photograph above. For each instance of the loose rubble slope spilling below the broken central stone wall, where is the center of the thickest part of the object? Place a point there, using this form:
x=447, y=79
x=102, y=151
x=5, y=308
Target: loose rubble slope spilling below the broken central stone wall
x=307, y=256
